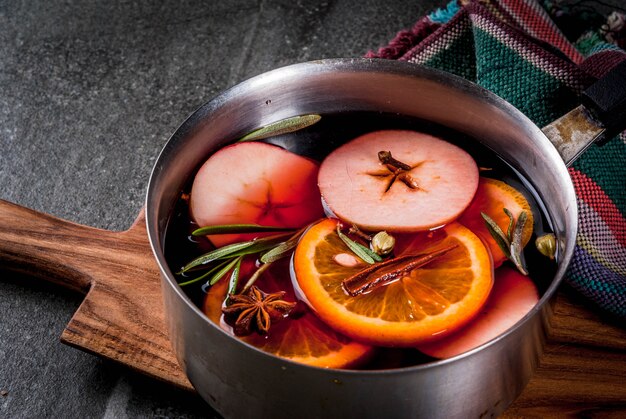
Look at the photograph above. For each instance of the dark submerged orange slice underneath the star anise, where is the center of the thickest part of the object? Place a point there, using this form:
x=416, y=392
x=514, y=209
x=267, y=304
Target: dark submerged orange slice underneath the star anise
x=301, y=337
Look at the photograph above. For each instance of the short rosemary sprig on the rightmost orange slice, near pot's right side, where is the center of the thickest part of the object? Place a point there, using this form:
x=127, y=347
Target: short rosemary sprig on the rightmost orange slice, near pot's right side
x=511, y=242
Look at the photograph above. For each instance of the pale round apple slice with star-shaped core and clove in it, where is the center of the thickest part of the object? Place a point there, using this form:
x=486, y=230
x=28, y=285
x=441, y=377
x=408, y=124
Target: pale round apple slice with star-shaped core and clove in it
x=425, y=183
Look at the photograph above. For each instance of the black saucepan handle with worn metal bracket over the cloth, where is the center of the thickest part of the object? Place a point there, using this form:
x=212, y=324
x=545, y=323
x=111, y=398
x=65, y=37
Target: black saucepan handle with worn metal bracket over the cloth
x=601, y=116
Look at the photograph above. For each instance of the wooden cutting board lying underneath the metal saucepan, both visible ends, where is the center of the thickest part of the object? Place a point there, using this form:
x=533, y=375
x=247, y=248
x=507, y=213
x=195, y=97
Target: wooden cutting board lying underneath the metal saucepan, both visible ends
x=121, y=318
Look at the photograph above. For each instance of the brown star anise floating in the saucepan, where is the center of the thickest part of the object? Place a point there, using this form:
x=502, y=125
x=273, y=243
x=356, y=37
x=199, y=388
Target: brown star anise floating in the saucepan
x=256, y=310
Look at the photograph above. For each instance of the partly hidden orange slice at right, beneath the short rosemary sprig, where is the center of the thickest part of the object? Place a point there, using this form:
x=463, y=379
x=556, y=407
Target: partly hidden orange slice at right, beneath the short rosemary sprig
x=491, y=198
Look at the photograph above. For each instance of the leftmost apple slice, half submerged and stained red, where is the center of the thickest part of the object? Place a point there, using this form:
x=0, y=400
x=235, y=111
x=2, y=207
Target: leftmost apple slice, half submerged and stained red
x=255, y=183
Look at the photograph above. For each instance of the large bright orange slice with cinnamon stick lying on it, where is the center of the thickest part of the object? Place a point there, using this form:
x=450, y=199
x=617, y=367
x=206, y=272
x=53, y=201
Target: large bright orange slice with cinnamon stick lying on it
x=428, y=303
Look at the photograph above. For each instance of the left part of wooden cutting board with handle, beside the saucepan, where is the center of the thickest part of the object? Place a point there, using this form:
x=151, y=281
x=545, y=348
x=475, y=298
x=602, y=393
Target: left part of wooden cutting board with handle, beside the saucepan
x=122, y=316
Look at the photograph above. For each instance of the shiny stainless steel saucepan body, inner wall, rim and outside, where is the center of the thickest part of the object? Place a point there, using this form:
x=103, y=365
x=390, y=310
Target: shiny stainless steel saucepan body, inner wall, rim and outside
x=222, y=368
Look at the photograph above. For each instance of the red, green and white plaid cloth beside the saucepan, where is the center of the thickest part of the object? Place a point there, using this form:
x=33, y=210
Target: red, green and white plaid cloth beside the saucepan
x=515, y=49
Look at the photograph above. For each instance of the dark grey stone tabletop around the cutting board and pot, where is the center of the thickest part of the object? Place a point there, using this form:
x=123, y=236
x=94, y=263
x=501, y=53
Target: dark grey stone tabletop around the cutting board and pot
x=89, y=93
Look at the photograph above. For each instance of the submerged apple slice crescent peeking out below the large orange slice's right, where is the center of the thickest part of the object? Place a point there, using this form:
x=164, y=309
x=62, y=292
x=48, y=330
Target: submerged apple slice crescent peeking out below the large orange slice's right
x=512, y=297
